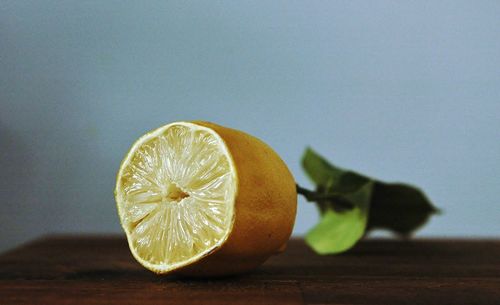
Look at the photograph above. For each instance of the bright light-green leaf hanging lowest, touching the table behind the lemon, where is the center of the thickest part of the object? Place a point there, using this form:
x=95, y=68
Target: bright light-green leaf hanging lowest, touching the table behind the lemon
x=339, y=231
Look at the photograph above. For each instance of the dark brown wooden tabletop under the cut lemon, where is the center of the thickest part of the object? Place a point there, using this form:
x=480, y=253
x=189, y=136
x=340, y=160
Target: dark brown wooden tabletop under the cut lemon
x=100, y=270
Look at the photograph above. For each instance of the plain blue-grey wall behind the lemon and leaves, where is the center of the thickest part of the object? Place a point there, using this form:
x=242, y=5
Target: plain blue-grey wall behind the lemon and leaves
x=401, y=90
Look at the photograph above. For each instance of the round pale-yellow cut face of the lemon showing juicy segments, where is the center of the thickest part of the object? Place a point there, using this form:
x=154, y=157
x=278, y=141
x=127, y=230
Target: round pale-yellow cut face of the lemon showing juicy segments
x=175, y=194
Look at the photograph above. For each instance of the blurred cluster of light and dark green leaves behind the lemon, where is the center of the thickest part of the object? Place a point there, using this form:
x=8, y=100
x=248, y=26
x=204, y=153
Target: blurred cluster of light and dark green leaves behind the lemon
x=398, y=207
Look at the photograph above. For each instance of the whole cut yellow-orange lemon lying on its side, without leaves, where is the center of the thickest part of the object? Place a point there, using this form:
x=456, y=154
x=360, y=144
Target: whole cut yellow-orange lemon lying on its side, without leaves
x=200, y=199
